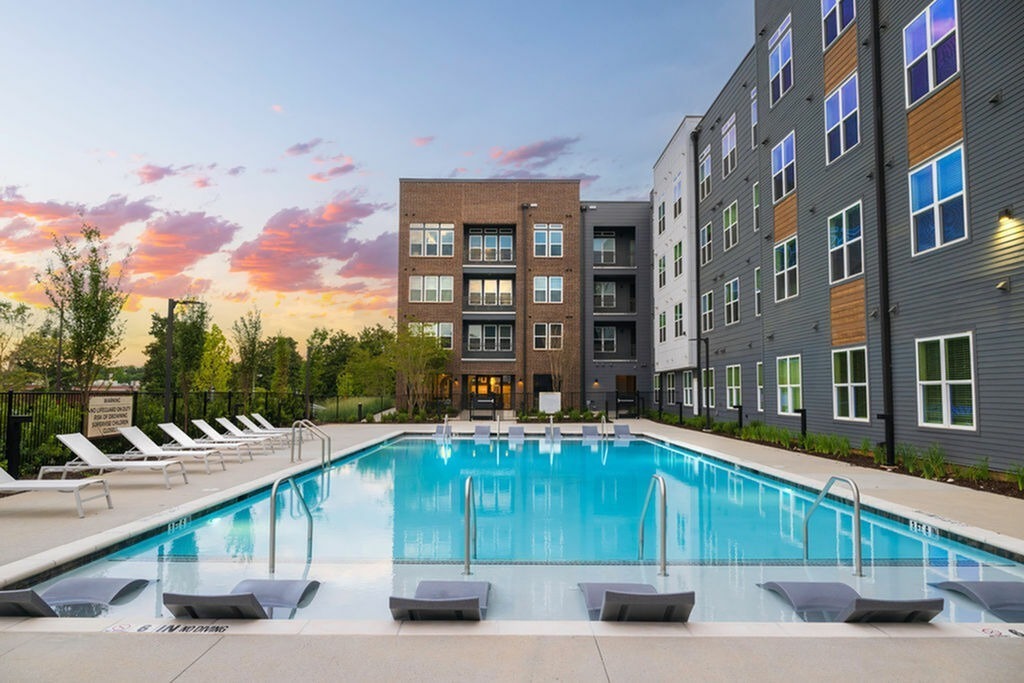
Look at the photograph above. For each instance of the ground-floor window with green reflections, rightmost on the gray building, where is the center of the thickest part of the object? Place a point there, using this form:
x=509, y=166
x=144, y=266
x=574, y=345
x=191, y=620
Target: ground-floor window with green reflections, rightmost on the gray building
x=946, y=382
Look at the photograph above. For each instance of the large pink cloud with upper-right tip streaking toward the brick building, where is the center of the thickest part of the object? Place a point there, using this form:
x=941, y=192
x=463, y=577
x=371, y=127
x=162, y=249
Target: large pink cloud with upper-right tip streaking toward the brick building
x=288, y=253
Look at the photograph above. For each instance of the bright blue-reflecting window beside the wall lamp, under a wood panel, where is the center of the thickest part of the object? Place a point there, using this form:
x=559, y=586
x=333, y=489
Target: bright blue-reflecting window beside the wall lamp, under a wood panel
x=937, y=202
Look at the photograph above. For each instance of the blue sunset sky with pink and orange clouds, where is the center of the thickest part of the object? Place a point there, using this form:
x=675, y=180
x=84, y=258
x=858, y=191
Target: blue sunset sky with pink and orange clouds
x=248, y=154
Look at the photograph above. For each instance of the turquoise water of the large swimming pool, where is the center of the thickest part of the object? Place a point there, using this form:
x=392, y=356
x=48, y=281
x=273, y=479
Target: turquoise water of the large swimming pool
x=548, y=517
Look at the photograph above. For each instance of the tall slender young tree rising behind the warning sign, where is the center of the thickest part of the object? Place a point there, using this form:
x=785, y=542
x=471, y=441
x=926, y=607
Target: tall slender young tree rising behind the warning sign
x=82, y=286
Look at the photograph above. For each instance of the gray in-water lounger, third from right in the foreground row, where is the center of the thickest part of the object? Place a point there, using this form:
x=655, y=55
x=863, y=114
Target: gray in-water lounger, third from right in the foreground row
x=635, y=603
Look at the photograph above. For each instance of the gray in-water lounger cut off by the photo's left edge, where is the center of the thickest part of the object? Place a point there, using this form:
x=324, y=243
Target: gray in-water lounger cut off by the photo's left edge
x=71, y=597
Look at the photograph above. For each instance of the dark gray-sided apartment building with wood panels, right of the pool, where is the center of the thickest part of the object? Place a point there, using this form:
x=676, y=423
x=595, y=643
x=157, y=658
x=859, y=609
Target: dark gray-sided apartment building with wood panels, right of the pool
x=864, y=281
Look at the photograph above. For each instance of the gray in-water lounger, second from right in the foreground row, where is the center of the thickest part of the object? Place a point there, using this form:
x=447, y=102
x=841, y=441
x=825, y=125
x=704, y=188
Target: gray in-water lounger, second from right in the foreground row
x=833, y=602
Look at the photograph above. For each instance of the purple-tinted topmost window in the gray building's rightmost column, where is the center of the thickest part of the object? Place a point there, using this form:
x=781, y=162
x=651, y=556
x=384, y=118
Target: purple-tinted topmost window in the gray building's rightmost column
x=930, y=56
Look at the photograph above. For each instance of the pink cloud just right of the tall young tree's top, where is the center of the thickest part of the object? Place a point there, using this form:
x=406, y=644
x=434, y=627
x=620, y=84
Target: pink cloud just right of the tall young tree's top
x=176, y=242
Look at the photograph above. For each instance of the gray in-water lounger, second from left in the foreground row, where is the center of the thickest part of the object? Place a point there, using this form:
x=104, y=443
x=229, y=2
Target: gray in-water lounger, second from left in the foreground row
x=252, y=599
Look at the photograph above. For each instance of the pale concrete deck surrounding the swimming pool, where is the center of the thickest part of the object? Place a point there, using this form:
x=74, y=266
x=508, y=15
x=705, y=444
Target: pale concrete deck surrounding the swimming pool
x=41, y=531
